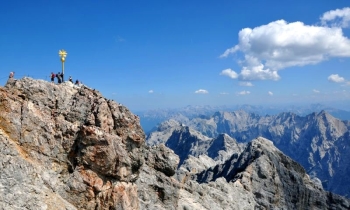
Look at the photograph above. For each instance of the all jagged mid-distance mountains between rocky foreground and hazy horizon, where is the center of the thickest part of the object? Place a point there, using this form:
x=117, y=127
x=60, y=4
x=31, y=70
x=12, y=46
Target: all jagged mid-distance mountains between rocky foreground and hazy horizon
x=318, y=141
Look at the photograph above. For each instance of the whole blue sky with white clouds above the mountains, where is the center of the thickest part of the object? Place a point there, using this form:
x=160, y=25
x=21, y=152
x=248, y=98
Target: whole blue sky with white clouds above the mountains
x=168, y=54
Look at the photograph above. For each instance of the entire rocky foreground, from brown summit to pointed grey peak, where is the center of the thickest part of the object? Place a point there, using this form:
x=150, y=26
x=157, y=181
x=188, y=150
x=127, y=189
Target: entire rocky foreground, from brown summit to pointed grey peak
x=67, y=147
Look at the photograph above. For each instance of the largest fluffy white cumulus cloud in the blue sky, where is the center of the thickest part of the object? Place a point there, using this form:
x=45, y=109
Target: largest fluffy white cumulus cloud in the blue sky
x=270, y=48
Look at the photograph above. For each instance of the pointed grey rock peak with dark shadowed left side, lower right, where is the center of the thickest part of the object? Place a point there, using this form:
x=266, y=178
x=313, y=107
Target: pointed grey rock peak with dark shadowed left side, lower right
x=276, y=181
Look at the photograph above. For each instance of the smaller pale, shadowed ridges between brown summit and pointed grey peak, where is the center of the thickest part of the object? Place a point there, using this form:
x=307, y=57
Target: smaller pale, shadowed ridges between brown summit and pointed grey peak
x=196, y=151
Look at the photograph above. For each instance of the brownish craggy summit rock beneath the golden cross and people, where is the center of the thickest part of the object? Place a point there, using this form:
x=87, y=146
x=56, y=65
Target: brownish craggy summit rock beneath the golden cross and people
x=82, y=147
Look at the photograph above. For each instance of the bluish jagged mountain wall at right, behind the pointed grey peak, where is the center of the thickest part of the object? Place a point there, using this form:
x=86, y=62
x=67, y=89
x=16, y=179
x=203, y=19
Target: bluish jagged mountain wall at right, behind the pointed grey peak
x=318, y=141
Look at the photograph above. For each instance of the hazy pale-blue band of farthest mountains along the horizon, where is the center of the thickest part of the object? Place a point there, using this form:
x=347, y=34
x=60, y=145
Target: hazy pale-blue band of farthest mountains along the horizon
x=151, y=118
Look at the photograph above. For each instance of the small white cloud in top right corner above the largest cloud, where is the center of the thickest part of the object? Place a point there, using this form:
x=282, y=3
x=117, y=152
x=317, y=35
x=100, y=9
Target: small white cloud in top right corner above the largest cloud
x=338, y=17
